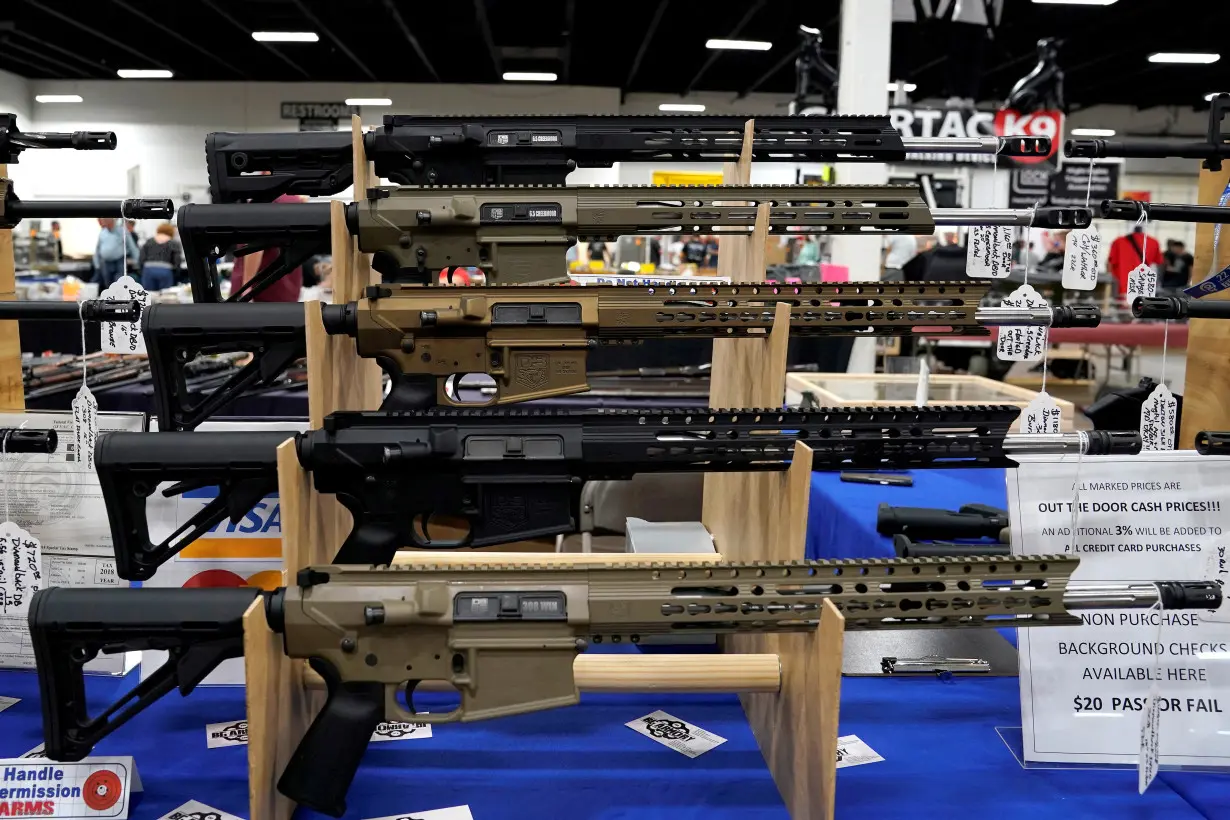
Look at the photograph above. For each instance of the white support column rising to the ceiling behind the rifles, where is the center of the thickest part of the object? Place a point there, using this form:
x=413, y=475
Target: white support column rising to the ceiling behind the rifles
x=863, y=89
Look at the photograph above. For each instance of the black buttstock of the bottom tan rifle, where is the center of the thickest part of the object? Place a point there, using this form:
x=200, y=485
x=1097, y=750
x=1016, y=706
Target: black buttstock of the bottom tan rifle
x=71, y=626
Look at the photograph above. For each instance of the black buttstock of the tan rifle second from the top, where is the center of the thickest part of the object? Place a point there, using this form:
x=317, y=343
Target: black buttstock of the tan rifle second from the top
x=208, y=233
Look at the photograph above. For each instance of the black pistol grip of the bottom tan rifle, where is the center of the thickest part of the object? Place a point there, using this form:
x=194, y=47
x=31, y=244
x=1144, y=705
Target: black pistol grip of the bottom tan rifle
x=323, y=768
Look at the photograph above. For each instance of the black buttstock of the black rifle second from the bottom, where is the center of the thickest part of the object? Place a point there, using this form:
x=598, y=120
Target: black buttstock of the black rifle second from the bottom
x=132, y=467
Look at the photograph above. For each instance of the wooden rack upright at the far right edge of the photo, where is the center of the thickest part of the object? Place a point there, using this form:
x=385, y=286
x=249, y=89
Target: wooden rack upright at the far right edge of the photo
x=1207, y=394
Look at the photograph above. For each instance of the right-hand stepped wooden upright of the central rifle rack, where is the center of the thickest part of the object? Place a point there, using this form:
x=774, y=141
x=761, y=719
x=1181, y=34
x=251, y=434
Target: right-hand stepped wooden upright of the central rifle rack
x=763, y=517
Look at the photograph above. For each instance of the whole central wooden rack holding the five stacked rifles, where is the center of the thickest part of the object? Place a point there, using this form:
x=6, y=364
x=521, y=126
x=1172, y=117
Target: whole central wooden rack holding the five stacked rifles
x=789, y=684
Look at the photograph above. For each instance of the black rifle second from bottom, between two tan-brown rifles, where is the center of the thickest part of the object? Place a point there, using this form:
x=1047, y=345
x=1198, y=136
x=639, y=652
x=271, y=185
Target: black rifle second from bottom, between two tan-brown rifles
x=515, y=475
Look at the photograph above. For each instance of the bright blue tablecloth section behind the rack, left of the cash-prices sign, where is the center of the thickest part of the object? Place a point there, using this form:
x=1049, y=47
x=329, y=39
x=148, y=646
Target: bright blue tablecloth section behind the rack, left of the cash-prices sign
x=842, y=517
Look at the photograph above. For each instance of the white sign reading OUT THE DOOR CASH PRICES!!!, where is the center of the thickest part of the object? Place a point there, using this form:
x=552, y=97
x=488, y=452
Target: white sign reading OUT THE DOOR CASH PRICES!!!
x=1084, y=689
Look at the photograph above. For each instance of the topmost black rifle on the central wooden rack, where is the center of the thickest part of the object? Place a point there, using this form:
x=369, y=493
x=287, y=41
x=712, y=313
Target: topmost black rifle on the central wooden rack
x=415, y=149
